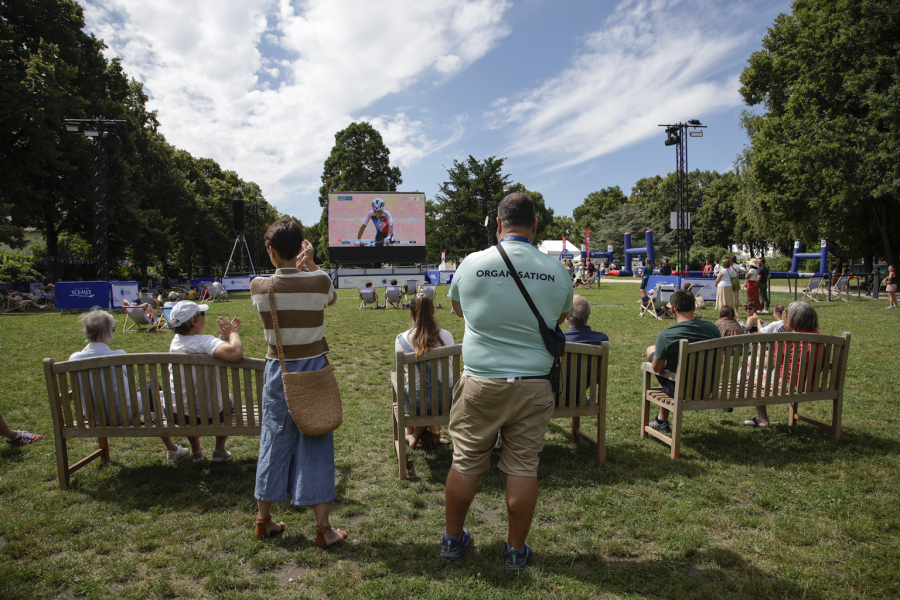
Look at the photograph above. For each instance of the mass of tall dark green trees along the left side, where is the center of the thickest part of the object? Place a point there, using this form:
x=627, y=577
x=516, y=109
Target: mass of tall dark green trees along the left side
x=168, y=207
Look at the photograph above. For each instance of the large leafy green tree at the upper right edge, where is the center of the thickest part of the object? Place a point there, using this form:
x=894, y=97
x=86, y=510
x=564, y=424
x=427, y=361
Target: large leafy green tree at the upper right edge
x=826, y=155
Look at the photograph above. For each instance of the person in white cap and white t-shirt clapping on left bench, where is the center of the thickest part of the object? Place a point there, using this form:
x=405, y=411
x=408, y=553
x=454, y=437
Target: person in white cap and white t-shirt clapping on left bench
x=189, y=320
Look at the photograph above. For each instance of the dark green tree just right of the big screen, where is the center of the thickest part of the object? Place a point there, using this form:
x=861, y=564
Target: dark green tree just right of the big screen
x=455, y=219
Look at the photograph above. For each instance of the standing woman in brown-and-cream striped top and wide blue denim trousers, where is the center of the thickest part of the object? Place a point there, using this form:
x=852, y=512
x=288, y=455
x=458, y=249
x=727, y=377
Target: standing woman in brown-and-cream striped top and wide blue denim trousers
x=290, y=462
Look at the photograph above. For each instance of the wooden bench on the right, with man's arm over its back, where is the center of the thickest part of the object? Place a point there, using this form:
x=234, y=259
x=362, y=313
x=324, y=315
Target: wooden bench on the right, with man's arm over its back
x=714, y=374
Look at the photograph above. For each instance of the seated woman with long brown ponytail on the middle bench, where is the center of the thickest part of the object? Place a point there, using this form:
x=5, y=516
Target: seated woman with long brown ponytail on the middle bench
x=423, y=335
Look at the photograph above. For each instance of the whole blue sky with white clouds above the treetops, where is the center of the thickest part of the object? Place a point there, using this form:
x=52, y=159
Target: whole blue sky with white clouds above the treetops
x=570, y=92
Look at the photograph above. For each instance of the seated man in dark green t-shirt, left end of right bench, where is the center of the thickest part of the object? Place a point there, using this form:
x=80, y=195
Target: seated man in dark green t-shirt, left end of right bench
x=664, y=355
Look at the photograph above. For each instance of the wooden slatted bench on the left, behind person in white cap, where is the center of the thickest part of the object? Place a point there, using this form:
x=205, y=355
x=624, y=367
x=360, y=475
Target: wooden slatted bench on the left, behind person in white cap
x=76, y=416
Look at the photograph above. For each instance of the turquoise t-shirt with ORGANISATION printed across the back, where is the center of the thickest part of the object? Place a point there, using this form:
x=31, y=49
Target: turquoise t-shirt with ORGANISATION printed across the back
x=502, y=338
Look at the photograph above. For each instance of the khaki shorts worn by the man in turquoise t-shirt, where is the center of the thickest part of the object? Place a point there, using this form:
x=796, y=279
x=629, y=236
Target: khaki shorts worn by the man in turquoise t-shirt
x=482, y=407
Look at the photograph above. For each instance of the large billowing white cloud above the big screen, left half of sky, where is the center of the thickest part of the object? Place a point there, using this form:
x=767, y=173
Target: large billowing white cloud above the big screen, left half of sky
x=272, y=118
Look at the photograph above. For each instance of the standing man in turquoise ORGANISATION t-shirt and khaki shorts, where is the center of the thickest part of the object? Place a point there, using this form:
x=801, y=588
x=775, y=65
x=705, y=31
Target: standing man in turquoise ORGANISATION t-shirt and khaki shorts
x=505, y=386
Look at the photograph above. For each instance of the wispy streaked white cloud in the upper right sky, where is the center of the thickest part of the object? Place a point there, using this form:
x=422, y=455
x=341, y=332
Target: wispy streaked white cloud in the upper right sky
x=654, y=61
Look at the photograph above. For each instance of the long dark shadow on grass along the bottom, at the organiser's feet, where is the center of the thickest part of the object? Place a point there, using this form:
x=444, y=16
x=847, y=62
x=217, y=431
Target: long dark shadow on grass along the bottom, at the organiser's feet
x=709, y=572
